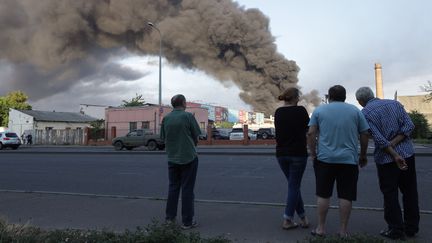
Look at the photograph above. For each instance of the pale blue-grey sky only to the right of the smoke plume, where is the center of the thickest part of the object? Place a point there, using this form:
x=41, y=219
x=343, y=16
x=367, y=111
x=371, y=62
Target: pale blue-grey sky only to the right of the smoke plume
x=338, y=41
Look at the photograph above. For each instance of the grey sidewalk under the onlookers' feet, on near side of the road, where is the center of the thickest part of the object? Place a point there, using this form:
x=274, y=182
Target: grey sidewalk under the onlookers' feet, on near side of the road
x=239, y=222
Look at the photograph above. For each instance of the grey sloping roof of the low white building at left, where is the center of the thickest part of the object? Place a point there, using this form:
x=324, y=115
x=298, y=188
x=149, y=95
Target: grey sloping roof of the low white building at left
x=58, y=116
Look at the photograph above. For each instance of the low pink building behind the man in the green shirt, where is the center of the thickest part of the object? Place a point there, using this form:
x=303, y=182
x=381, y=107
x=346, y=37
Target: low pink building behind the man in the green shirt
x=126, y=119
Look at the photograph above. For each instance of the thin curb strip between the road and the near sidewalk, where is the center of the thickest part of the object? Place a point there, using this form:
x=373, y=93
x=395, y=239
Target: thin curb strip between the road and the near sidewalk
x=269, y=204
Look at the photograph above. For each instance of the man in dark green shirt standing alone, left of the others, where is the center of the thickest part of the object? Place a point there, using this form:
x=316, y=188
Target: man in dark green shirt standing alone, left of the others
x=180, y=132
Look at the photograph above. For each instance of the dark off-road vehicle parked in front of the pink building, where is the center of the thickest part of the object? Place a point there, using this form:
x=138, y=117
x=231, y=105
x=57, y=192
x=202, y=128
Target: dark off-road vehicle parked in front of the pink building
x=138, y=138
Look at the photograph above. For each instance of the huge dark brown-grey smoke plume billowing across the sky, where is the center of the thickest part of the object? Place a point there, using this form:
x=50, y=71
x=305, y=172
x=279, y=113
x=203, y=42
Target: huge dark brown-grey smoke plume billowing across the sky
x=51, y=43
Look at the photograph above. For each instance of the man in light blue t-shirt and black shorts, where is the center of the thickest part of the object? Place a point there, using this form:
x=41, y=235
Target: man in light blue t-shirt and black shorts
x=333, y=140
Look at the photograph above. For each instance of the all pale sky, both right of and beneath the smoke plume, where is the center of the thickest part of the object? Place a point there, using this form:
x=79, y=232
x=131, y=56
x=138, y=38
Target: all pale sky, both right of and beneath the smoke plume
x=333, y=42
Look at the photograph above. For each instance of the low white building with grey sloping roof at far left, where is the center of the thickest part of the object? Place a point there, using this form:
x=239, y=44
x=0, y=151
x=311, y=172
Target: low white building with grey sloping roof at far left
x=28, y=121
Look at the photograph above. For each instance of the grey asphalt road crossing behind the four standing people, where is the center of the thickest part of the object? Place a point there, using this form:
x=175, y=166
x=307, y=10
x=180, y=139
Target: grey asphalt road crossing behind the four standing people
x=223, y=177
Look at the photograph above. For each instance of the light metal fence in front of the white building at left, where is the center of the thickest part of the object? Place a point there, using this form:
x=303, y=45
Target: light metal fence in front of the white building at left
x=59, y=137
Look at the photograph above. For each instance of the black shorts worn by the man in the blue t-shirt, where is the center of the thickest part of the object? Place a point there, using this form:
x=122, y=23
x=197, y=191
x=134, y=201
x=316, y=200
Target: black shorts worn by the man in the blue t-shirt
x=345, y=175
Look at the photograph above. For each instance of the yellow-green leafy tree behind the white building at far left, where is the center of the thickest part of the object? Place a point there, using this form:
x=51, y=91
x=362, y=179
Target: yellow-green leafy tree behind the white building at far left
x=16, y=100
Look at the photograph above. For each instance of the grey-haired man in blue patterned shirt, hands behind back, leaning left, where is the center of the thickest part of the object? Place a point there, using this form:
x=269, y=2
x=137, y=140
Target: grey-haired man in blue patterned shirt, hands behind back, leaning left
x=390, y=127
